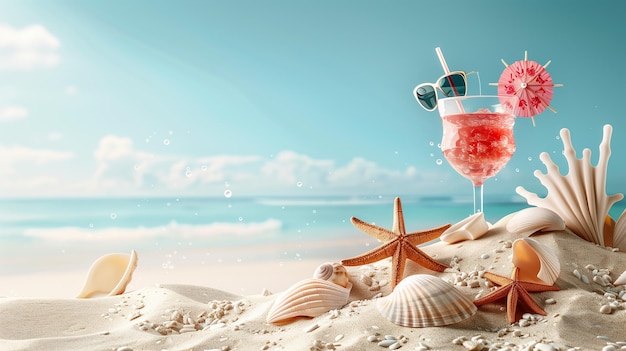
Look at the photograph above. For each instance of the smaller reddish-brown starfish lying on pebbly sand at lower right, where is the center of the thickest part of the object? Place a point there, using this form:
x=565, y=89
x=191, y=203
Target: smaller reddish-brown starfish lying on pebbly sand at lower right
x=515, y=291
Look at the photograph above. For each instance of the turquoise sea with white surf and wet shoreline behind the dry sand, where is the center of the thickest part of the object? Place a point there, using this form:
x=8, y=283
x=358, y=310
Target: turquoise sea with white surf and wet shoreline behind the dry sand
x=40, y=235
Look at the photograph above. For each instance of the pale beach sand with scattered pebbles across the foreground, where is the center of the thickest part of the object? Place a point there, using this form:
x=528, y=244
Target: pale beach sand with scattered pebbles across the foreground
x=43, y=323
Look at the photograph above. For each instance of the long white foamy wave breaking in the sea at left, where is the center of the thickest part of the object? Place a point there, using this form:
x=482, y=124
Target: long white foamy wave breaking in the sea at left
x=172, y=230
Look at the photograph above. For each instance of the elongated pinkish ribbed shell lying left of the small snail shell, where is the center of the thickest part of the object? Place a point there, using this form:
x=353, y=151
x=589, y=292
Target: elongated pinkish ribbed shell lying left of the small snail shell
x=308, y=298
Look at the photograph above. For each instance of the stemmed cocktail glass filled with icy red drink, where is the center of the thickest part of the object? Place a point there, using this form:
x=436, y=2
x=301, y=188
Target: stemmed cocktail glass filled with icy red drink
x=478, y=137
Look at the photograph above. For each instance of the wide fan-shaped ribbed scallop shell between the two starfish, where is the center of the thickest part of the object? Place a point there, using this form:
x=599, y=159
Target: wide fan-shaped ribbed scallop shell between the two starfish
x=423, y=300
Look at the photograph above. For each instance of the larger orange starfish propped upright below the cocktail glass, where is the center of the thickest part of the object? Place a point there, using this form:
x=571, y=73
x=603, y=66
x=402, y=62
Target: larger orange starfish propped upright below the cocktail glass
x=398, y=245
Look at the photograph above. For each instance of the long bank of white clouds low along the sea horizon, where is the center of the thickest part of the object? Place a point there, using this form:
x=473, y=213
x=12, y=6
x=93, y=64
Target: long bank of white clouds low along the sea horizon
x=119, y=169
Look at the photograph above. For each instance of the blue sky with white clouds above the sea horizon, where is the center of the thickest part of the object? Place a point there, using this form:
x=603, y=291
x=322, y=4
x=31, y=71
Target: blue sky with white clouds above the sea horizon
x=306, y=98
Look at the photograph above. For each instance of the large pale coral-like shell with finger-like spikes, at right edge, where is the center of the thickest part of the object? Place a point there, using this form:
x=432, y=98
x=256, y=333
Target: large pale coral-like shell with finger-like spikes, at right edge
x=579, y=197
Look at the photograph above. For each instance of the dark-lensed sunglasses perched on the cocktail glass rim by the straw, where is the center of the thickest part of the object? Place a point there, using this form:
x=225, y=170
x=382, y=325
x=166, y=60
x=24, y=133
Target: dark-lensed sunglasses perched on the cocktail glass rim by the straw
x=451, y=84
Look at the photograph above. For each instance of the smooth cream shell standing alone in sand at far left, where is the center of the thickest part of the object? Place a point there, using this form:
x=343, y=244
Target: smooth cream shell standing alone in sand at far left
x=109, y=275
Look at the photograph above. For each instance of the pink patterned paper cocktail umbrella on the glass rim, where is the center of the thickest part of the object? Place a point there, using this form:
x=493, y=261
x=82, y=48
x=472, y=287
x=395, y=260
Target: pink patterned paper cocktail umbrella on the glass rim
x=531, y=83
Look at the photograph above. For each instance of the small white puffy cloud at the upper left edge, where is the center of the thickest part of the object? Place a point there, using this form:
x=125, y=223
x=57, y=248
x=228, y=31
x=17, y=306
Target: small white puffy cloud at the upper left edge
x=29, y=47
